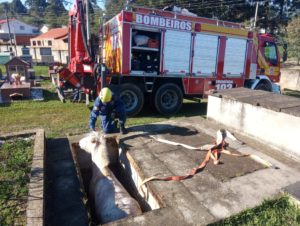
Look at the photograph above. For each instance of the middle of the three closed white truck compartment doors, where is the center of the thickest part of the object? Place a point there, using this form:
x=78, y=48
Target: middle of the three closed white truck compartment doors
x=205, y=55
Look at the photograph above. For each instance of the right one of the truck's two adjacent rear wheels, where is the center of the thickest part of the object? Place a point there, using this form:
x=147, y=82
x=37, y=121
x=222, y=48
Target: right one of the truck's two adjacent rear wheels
x=168, y=99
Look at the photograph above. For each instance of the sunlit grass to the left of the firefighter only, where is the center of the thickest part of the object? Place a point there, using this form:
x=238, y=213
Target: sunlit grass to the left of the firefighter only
x=56, y=118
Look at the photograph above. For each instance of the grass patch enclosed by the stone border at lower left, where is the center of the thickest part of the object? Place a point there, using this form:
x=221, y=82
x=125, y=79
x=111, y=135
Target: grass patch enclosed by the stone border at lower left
x=15, y=162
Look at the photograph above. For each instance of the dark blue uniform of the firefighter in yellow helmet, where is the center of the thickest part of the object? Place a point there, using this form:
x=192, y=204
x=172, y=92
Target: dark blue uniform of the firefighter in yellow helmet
x=105, y=111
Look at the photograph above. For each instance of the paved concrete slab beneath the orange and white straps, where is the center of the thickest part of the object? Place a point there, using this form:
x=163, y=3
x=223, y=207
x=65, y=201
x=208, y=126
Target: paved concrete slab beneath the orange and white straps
x=215, y=193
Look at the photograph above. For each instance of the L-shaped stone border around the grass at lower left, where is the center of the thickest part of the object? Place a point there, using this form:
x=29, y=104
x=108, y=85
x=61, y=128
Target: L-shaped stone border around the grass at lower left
x=35, y=203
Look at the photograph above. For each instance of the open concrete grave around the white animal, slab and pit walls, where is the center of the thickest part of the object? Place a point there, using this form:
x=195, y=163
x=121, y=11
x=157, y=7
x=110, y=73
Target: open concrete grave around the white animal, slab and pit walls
x=212, y=194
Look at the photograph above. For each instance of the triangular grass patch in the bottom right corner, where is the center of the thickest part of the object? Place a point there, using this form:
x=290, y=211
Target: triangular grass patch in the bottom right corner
x=276, y=212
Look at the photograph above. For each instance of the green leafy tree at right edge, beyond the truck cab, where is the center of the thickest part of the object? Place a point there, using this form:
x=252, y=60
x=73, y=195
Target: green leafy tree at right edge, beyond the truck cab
x=293, y=38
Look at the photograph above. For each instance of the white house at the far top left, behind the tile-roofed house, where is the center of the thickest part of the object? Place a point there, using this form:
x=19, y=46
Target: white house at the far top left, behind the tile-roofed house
x=17, y=27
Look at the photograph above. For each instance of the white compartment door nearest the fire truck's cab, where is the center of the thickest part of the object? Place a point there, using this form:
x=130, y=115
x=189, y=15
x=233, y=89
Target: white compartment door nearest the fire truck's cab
x=235, y=55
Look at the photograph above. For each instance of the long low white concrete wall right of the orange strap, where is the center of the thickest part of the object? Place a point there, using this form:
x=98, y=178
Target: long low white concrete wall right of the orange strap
x=277, y=129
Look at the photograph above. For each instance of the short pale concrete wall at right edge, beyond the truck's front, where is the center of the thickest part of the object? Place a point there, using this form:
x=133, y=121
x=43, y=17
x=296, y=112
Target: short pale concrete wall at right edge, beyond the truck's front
x=290, y=79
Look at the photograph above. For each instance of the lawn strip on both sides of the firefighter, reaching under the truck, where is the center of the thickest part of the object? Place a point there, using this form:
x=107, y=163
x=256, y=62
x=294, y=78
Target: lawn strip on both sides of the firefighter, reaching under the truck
x=59, y=119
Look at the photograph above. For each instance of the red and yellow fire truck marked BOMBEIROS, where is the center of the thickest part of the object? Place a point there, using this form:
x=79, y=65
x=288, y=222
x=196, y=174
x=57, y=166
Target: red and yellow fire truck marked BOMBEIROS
x=160, y=57
